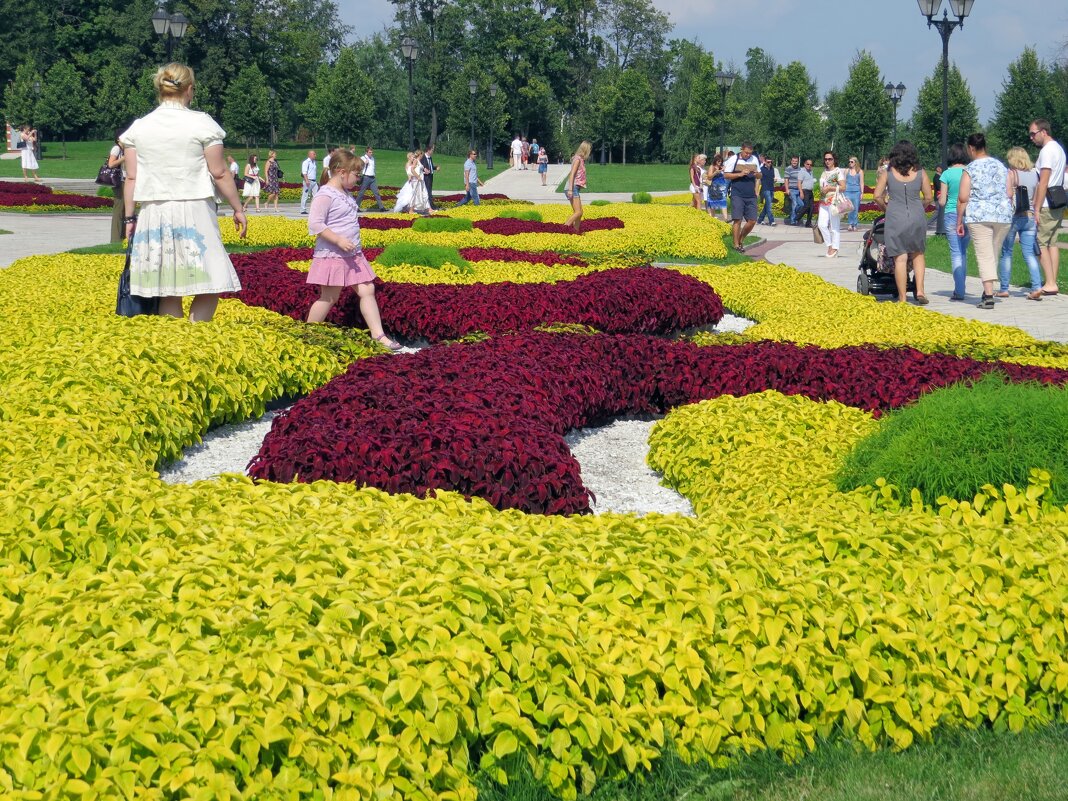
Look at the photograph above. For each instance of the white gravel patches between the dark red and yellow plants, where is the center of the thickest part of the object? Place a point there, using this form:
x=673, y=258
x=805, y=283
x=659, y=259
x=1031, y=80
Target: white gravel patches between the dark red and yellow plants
x=612, y=458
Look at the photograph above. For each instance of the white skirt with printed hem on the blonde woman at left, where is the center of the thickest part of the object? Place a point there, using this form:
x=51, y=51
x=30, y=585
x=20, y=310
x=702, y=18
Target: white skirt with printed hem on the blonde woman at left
x=178, y=252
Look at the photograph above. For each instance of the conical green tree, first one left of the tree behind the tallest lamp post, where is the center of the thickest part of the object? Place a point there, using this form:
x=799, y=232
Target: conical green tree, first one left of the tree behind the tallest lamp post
x=861, y=115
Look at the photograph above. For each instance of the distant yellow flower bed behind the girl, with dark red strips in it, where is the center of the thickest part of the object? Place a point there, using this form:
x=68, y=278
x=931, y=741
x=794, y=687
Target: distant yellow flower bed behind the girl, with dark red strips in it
x=676, y=233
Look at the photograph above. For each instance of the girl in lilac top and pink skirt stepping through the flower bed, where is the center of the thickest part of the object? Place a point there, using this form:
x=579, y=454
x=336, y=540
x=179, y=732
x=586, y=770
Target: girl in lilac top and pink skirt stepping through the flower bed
x=338, y=261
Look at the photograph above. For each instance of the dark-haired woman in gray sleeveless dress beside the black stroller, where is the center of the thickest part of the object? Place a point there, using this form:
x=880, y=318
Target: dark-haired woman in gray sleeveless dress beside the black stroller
x=904, y=191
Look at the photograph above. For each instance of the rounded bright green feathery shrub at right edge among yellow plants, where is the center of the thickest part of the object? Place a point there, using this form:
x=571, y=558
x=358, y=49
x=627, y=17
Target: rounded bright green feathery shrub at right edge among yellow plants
x=955, y=441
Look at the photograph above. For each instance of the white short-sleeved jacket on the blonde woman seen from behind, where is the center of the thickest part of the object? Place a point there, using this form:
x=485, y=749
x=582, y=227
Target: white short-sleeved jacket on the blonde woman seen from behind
x=170, y=145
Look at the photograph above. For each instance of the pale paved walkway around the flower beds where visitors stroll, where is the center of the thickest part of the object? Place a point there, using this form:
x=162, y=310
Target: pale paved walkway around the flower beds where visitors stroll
x=783, y=245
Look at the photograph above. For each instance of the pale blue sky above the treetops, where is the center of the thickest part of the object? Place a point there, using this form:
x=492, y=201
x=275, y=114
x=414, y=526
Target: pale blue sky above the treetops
x=893, y=32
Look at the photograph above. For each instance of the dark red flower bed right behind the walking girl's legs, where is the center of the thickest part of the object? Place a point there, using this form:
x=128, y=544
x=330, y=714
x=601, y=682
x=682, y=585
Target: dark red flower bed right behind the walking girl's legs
x=635, y=300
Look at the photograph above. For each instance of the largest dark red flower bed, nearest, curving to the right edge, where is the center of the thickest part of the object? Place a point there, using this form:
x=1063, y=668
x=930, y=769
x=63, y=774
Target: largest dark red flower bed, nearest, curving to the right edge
x=488, y=420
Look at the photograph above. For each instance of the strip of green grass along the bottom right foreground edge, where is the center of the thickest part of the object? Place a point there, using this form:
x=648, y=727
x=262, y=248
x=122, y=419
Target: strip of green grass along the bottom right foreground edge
x=960, y=766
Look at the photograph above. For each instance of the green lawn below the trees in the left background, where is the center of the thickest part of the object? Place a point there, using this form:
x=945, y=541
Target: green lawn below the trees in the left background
x=85, y=160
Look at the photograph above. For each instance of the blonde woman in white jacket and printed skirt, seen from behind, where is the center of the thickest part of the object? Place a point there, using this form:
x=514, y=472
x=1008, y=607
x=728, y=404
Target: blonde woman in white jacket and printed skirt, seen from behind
x=175, y=165
